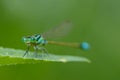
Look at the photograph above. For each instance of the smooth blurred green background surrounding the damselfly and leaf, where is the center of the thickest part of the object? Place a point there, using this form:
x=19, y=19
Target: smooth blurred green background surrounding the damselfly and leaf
x=95, y=21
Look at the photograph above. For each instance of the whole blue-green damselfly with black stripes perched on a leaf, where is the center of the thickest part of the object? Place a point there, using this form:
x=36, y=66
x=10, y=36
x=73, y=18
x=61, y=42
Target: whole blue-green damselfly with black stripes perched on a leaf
x=38, y=41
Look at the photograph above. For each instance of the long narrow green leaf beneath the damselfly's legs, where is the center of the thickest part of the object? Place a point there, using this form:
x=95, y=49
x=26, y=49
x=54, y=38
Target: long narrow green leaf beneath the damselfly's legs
x=10, y=56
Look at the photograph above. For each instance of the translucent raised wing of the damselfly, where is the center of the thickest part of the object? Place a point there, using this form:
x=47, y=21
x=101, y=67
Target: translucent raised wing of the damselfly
x=59, y=31
